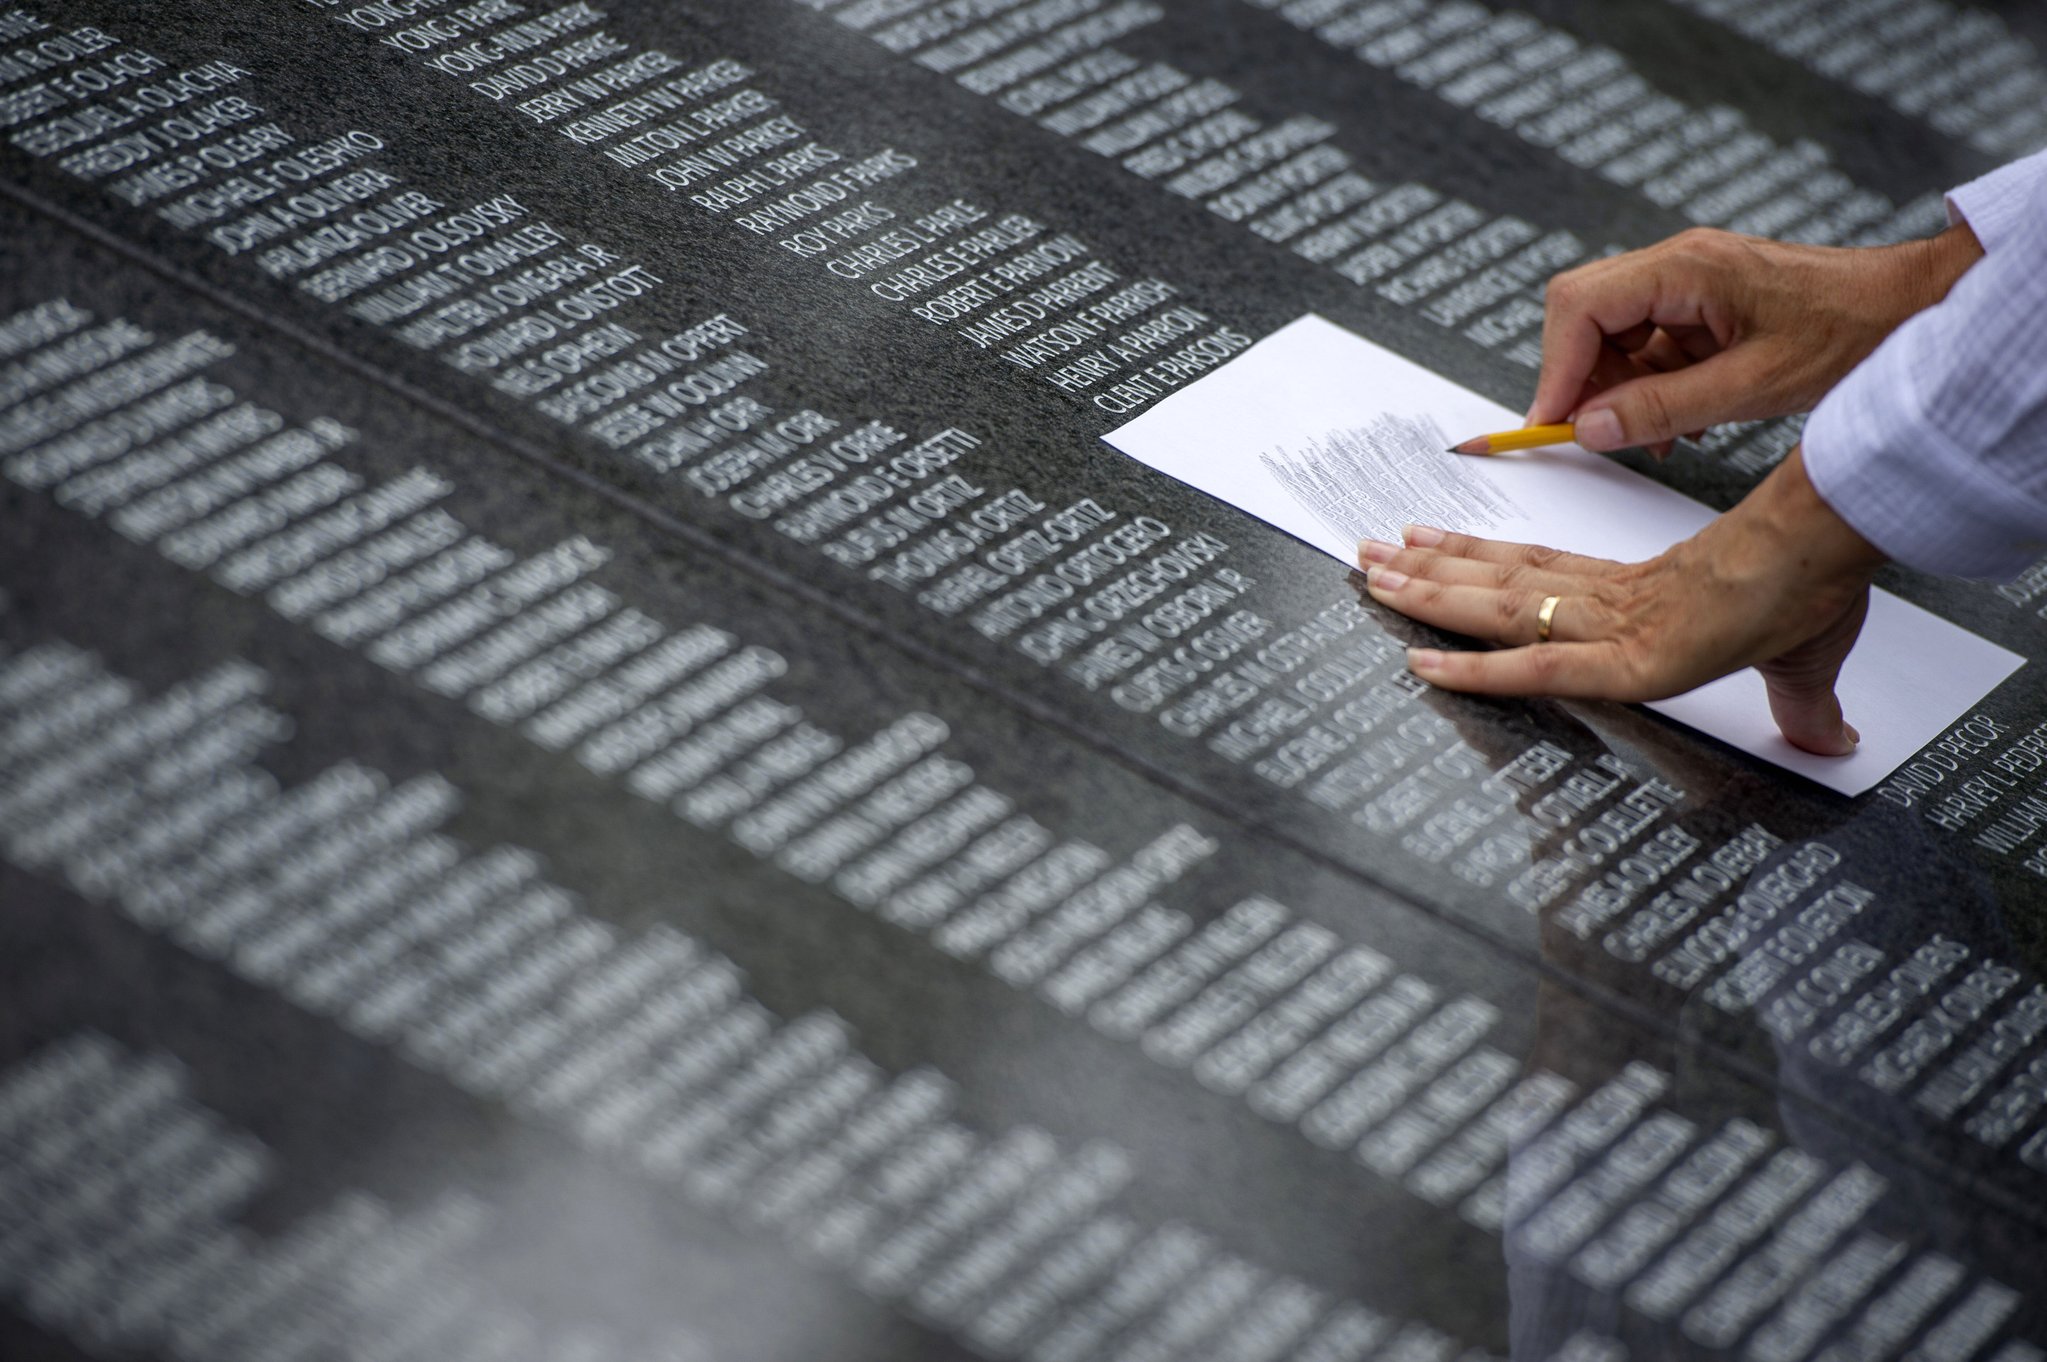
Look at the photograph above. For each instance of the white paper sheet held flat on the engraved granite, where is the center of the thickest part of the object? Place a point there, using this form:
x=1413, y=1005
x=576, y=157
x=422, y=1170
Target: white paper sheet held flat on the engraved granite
x=1334, y=439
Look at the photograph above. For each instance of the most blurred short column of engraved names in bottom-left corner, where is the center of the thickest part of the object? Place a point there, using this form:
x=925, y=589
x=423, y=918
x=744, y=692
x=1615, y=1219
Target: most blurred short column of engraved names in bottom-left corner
x=124, y=1236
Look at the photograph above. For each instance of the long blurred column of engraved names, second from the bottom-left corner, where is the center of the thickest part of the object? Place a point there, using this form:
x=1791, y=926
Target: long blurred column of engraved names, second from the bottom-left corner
x=347, y=896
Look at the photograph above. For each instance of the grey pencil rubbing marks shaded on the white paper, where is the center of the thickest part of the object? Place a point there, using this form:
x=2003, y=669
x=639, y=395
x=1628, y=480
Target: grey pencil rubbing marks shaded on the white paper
x=1370, y=480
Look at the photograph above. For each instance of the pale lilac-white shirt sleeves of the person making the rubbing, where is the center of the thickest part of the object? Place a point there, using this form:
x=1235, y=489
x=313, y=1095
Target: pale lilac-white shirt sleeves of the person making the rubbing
x=1935, y=448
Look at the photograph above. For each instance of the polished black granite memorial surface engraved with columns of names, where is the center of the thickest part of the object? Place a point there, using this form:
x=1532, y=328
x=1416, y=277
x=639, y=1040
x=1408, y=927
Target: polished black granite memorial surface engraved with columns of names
x=599, y=763
